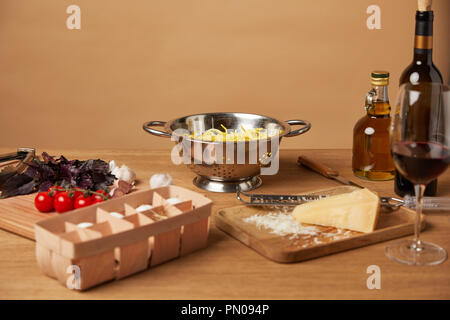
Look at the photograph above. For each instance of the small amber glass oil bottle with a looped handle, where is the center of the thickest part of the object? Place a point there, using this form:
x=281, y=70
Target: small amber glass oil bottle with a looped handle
x=371, y=146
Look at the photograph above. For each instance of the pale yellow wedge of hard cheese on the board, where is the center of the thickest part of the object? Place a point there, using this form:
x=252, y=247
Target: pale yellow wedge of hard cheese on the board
x=357, y=210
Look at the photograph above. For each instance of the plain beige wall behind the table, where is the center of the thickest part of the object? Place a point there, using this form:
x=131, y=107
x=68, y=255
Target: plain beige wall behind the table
x=161, y=59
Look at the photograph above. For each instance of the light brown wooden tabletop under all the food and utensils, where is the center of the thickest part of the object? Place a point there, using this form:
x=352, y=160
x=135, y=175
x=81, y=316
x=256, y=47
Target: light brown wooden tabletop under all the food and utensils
x=227, y=269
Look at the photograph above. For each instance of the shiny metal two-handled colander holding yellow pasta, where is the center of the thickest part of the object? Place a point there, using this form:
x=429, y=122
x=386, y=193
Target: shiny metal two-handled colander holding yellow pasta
x=231, y=165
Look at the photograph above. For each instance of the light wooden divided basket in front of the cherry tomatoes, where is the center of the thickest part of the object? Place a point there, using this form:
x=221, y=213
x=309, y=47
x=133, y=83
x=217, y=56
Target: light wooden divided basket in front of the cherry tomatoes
x=113, y=248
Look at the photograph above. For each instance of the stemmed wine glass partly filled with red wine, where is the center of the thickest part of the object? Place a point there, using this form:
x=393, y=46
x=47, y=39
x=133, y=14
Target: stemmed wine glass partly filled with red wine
x=420, y=136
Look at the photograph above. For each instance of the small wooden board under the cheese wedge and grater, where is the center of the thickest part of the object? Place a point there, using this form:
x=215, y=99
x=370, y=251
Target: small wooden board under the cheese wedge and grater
x=286, y=249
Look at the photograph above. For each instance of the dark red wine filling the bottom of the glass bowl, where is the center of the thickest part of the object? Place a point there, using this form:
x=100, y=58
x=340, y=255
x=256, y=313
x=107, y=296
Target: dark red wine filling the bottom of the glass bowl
x=420, y=162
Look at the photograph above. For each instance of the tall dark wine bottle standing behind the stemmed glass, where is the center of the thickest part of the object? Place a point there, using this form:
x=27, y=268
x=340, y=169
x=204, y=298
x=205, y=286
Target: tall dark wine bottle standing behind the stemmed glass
x=422, y=69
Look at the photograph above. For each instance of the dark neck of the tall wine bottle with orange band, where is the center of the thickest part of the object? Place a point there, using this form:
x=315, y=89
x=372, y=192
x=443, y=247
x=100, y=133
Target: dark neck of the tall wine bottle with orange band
x=423, y=40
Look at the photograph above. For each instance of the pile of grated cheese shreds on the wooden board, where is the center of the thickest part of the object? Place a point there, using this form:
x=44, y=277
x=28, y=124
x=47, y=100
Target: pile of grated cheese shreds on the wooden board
x=281, y=224
